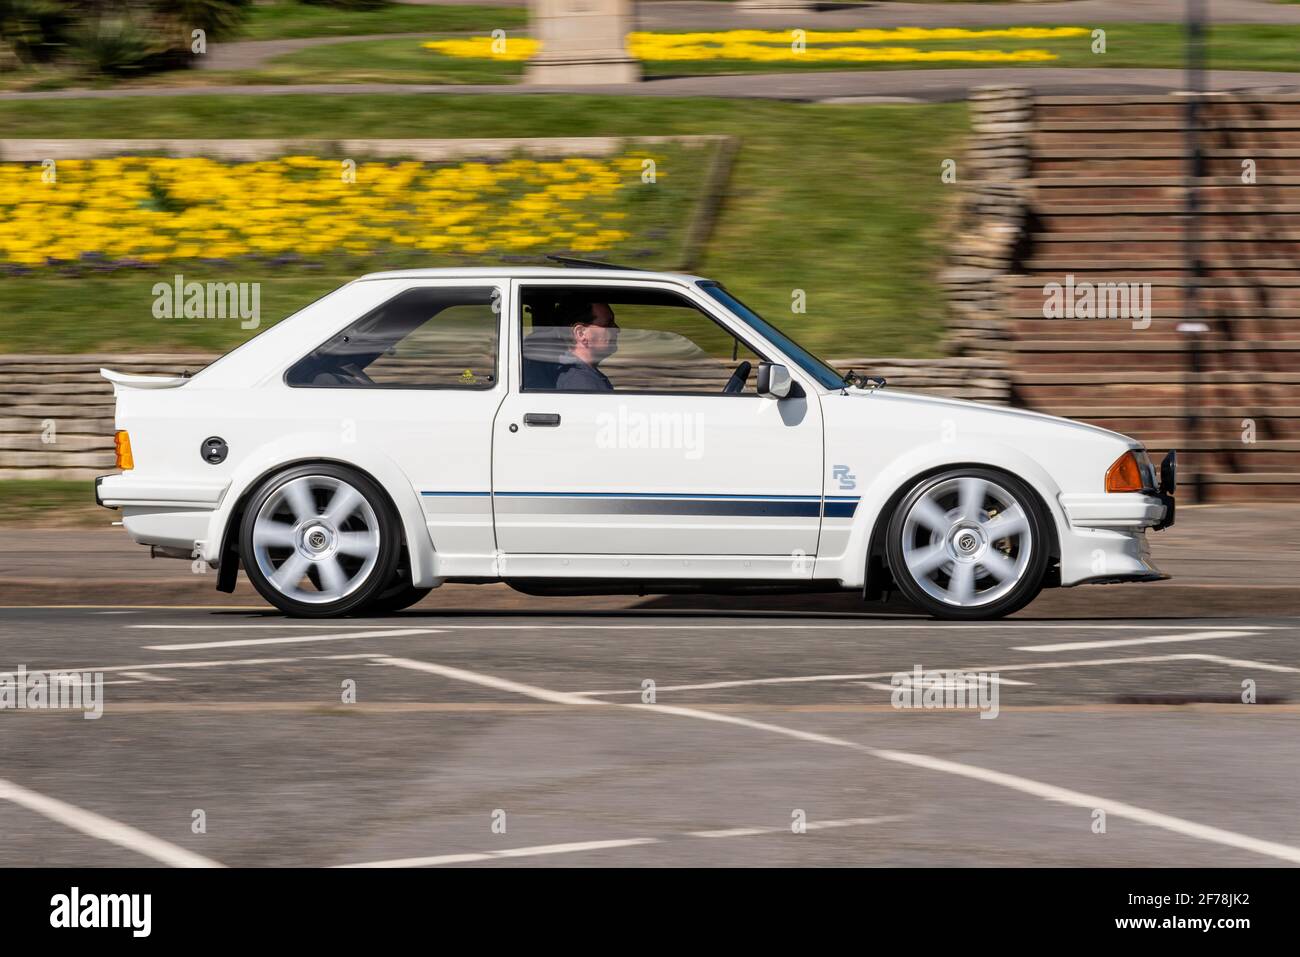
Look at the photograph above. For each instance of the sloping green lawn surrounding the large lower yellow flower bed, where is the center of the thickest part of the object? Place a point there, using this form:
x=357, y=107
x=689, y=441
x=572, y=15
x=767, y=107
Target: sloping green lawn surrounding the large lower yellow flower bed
x=842, y=202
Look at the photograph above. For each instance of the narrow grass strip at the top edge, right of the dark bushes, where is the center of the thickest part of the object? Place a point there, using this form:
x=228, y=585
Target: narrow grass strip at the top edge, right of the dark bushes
x=292, y=20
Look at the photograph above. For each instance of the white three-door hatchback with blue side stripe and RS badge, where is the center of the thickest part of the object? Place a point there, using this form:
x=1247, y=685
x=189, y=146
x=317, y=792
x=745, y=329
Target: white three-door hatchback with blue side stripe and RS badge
x=593, y=430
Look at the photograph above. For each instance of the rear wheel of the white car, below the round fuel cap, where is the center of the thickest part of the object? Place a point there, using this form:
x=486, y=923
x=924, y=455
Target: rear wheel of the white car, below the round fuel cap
x=319, y=542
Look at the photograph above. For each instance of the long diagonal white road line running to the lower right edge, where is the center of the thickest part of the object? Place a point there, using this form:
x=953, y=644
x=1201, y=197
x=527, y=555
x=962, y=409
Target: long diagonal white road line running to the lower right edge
x=1050, y=793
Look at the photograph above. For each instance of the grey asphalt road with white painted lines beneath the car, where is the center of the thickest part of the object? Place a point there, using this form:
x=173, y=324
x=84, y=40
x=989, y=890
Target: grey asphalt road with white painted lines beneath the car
x=536, y=724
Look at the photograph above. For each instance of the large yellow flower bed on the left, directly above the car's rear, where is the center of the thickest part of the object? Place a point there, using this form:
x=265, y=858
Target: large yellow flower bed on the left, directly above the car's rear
x=158, y=209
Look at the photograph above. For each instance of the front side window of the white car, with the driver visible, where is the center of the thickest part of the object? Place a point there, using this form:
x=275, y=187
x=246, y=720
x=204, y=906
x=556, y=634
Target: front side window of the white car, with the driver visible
x=625, y=339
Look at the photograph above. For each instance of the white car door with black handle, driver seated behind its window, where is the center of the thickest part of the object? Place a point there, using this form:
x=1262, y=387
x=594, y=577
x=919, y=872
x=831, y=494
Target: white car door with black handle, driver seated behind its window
x=665, y=465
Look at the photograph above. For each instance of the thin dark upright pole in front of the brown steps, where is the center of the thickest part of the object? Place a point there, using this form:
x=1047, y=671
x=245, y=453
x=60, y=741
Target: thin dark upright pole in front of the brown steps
x=1194, y=270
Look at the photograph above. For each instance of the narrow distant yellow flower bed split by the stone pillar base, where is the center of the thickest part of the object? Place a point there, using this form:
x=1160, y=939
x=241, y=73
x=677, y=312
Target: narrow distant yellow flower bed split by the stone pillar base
x=782, y=46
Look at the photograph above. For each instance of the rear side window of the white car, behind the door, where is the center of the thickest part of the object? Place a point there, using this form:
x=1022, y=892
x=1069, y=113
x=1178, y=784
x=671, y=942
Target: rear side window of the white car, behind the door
x=436, y=337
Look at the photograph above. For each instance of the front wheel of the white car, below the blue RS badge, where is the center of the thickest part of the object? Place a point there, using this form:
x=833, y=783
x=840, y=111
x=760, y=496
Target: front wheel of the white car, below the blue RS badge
x=969, y=544
